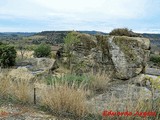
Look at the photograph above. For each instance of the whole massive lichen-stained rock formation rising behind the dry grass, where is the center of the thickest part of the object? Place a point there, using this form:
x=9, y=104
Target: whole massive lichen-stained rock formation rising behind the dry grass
x=124, y=57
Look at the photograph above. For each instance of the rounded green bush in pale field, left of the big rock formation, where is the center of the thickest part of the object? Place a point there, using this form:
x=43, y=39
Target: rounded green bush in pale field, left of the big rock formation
x=43, y=50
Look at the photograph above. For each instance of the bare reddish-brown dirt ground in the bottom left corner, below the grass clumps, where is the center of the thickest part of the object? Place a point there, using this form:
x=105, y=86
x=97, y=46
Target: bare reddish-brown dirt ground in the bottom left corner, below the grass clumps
x=19, y=112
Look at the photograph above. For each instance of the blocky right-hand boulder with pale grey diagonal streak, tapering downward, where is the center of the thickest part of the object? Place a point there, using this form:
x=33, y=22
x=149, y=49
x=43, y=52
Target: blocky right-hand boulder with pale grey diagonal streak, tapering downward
x=129, y=55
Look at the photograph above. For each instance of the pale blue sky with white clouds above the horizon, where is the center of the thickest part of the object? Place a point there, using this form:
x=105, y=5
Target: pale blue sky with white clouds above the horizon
x=102, y=15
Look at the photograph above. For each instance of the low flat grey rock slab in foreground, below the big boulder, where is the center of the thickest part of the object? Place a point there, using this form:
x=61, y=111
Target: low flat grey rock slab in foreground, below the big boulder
x=122, y=95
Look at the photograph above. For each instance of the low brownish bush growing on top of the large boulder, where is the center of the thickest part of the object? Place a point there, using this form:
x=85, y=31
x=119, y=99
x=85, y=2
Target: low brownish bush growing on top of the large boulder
x=124, y=32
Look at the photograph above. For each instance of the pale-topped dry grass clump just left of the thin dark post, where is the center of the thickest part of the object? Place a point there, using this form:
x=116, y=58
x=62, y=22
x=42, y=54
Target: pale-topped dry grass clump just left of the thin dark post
x=21, y=84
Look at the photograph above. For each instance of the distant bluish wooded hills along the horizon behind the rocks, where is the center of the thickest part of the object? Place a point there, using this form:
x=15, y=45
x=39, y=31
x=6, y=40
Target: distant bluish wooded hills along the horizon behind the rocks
x=56, y=37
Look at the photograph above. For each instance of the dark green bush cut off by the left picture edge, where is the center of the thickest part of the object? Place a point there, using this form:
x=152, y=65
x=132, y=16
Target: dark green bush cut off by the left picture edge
x=7, y=55
